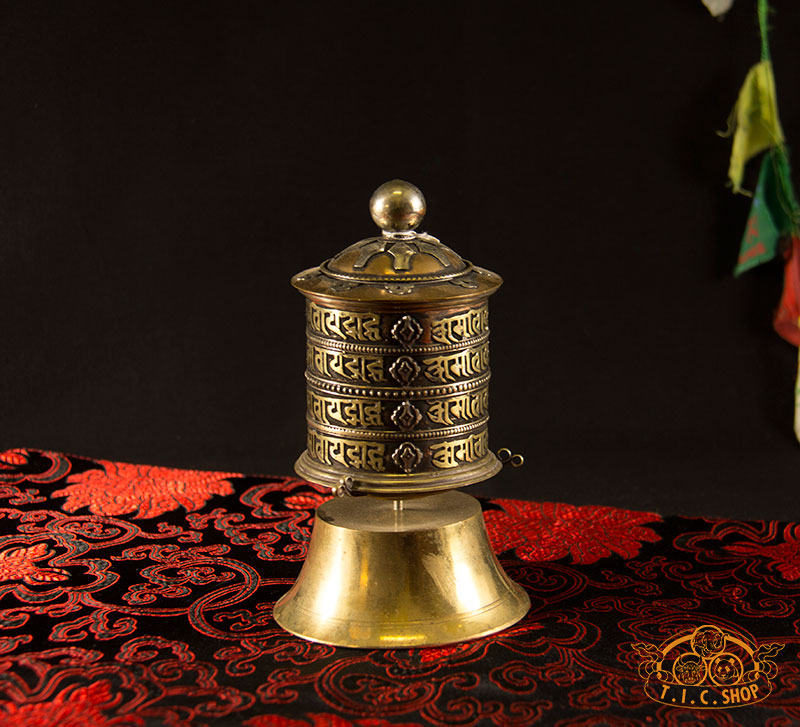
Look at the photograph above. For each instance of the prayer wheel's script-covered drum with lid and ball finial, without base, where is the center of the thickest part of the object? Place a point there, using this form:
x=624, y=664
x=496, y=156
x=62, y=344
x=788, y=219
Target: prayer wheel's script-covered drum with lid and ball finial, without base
x=397, y=360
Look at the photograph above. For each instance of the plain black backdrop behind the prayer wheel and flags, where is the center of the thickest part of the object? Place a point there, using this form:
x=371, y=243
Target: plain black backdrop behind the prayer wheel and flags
x=167, y=166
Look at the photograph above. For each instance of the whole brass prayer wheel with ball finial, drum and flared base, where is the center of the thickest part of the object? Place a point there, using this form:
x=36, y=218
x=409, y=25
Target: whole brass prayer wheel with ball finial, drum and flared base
x=397, y=373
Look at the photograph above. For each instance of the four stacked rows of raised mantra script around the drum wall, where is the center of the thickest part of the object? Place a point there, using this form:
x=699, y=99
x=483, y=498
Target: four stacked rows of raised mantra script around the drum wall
x=397, y=392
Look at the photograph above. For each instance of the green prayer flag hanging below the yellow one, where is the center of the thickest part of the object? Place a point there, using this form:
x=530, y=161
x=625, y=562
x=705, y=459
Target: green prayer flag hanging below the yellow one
x=773, y=213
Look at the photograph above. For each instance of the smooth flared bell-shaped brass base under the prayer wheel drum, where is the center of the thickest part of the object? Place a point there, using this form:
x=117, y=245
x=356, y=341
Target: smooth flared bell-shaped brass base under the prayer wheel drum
x=395, y=574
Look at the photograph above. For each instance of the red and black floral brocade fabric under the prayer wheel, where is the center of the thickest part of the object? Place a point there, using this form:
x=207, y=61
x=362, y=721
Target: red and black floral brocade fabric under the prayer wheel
x=134, y=596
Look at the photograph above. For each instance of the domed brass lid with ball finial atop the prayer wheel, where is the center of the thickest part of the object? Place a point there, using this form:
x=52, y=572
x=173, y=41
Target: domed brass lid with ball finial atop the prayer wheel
x=400, y=263
